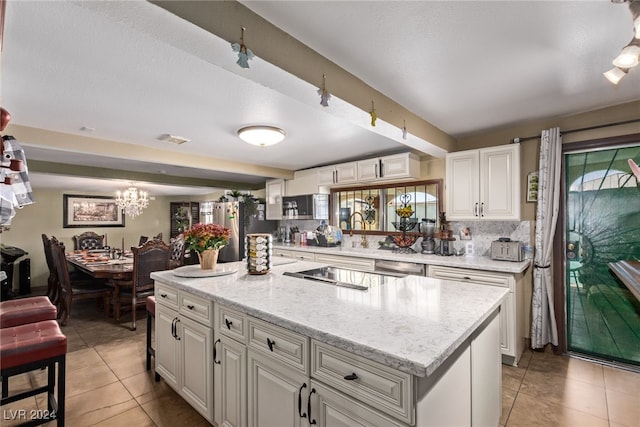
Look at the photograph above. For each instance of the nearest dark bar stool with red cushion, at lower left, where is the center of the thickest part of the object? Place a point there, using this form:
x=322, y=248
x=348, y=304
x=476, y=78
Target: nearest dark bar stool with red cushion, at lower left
x=32, y=346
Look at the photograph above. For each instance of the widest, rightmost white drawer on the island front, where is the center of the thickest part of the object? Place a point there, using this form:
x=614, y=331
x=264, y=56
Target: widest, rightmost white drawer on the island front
x=384, y=388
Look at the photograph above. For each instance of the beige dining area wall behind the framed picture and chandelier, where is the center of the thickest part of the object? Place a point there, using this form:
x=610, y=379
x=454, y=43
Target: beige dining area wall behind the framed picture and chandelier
x=45, y=216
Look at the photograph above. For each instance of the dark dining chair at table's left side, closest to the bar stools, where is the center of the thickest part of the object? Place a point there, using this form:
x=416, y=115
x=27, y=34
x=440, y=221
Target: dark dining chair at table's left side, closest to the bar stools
x=70, y=291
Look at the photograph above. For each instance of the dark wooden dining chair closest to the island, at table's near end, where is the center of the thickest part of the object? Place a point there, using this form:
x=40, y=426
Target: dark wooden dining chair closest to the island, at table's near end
x=151, y=256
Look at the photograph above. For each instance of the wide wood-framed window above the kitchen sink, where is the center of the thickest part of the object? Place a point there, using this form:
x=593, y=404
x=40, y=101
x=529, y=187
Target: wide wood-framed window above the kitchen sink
x=375, y=207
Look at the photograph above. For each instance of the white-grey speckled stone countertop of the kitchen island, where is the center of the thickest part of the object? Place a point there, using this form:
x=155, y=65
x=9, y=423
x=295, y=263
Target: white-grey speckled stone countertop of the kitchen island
x=412, y=323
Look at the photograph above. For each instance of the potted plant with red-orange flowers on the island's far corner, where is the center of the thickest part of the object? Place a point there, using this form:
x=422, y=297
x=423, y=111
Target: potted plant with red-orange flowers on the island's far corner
x=207, y=240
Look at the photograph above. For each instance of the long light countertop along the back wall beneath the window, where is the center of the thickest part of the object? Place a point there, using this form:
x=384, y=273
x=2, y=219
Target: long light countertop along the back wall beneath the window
x=472, y=262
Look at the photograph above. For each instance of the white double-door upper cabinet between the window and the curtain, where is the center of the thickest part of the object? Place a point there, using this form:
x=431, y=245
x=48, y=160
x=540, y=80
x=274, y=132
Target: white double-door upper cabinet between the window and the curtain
x=484, y=183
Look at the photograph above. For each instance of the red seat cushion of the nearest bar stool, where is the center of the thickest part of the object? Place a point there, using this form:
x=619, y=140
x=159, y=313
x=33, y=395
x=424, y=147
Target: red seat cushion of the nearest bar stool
x=28, y=343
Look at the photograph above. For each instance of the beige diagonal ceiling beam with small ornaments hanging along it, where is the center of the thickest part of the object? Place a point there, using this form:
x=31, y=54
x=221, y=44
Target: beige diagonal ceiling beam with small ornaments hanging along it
x=225, y=20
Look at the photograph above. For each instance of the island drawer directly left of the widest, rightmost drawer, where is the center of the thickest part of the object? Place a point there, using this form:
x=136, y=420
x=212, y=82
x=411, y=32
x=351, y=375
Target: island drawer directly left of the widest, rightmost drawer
x=280, y=344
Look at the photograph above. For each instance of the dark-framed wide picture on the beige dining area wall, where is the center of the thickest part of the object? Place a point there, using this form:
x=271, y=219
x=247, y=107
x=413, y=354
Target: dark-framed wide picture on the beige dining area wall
x=91, y=211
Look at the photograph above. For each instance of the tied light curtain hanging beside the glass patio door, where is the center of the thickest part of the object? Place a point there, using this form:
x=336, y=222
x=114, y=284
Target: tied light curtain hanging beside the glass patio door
x=543, y=325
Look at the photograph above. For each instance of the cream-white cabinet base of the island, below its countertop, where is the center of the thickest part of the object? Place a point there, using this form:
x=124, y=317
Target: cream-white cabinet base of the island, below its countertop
x=264, y=375
